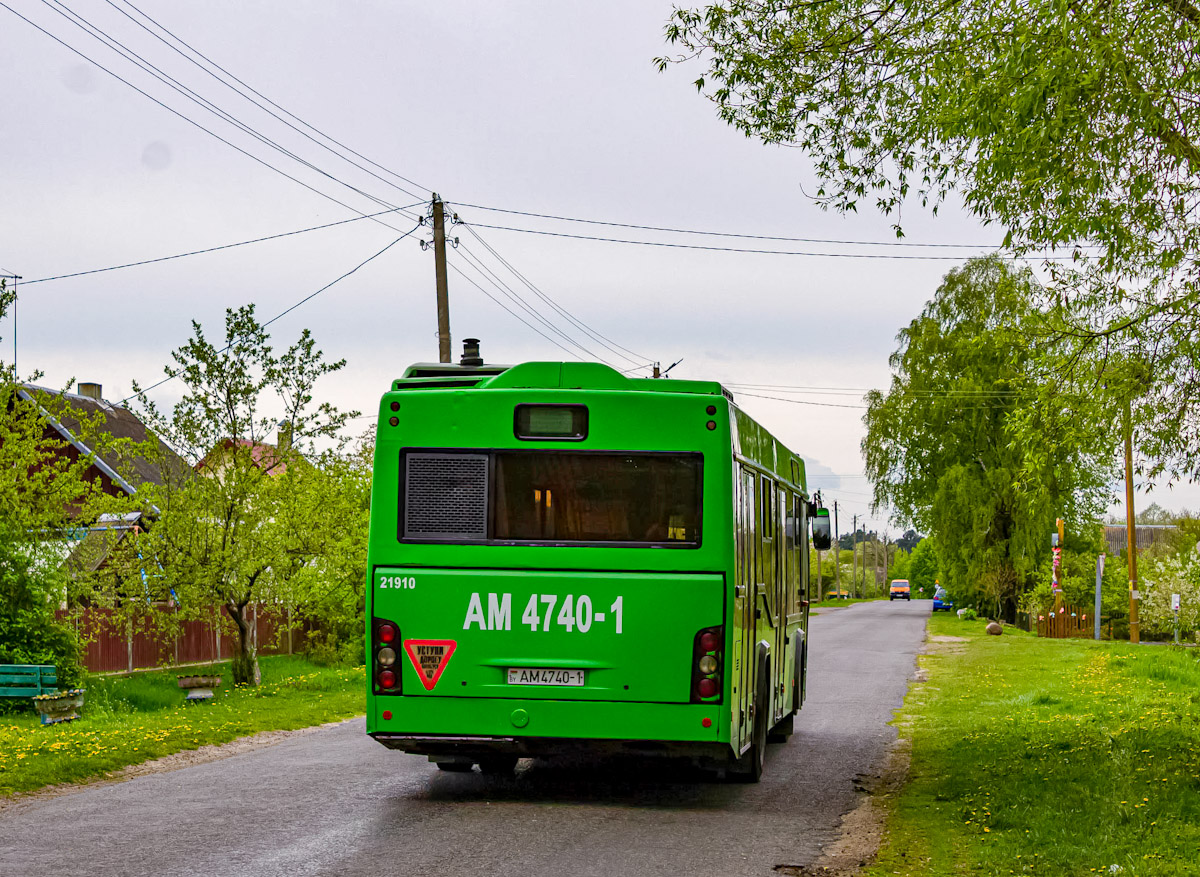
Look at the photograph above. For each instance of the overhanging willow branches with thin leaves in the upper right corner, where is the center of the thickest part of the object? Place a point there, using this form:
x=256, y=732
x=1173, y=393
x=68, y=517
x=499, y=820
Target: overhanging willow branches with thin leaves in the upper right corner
x=1071, y=124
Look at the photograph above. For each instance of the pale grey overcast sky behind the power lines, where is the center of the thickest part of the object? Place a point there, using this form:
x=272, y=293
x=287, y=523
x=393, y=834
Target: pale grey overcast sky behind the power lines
x=541, y=107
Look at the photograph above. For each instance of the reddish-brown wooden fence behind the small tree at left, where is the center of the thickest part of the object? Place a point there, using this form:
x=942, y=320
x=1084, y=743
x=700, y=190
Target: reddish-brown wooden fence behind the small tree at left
x=115, y=646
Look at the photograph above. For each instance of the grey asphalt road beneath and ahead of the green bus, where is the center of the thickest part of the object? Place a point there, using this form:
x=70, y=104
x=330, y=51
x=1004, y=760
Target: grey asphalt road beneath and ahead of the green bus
x=337, y=803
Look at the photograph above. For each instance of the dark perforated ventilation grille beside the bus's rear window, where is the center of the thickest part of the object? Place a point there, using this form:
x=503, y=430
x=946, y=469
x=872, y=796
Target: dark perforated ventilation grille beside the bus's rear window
x=446, y=496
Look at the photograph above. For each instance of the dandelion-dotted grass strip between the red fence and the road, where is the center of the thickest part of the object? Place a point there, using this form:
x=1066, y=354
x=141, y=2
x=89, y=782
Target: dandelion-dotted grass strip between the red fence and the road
x=128, y=720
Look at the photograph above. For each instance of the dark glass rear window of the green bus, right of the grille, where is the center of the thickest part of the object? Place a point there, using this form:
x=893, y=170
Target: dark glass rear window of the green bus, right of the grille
x=651, y=498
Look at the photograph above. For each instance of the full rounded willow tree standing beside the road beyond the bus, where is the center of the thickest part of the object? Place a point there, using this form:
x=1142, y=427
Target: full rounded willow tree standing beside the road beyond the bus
x=974, y=442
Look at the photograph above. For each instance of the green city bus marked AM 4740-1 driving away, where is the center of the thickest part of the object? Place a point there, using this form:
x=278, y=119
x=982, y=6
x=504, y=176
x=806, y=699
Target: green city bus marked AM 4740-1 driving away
x=567, y=560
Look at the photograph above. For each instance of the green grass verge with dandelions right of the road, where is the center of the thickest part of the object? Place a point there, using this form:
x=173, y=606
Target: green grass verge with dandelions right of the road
x=1048, y=758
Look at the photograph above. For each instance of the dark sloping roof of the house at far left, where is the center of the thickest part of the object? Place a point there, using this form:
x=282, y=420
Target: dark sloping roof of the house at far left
x=118, y=423
